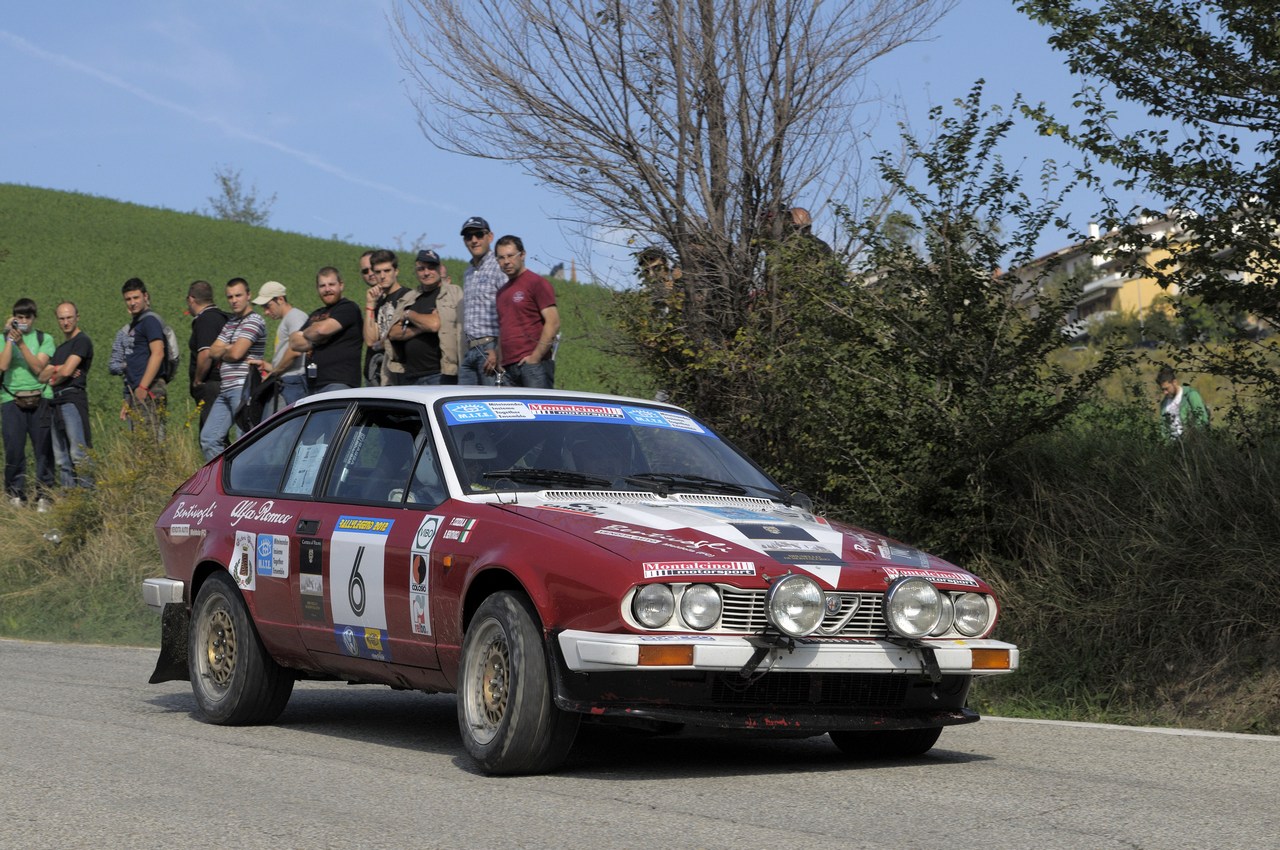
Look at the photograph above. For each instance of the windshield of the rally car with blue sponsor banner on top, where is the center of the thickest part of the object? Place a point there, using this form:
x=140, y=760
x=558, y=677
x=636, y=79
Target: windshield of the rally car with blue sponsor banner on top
x=510, y=444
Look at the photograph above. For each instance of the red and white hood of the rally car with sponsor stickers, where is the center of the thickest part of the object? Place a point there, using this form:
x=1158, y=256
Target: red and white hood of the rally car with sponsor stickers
x=735, y=540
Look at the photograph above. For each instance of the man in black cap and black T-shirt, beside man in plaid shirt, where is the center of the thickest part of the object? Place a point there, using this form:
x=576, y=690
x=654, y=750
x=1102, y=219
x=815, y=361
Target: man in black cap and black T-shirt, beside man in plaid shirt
x=424, y=341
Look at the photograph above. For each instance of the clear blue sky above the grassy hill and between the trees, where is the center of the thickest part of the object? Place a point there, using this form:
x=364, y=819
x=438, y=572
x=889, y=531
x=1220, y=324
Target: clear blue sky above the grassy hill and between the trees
x=141, y=100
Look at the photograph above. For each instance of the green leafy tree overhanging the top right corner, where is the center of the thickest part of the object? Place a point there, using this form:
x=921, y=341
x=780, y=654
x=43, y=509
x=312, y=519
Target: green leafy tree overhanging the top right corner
x=1206, y=76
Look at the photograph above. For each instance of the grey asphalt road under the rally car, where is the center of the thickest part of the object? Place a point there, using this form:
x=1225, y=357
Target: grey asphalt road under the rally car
x=94, y=757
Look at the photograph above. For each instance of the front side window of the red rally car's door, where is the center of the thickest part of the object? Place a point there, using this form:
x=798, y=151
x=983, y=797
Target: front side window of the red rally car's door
x=377, y=456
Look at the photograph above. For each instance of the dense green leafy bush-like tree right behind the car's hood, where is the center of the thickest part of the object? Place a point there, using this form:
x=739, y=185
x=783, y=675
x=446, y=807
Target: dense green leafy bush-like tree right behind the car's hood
x=889, y=390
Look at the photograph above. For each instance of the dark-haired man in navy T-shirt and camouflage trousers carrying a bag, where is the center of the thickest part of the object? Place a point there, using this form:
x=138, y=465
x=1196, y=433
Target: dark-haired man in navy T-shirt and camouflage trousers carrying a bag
x=143, y=354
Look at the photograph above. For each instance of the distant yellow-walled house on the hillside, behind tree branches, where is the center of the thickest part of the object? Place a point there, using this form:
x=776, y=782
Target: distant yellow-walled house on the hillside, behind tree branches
x=1107, y=289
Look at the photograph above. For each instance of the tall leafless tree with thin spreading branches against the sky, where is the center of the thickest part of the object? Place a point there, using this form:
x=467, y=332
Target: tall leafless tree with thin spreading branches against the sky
x=689, y=124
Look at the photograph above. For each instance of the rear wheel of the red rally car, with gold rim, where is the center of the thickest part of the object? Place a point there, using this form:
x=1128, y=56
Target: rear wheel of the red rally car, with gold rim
x=235, y=680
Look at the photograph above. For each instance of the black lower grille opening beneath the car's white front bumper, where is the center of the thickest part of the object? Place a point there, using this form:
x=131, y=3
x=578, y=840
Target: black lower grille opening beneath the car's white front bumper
x=844, y=691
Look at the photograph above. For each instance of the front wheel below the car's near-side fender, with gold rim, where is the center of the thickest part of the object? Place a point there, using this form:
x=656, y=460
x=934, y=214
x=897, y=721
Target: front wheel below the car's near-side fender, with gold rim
x=506, y=712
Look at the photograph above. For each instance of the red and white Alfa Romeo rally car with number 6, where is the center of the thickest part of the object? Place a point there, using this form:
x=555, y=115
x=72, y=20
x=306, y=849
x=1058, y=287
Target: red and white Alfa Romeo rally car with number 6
x=554, y=559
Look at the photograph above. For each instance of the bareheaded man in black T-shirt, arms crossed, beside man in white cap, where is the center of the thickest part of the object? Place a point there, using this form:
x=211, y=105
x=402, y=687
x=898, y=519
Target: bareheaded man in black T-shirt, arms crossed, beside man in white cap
x=331, y=337
